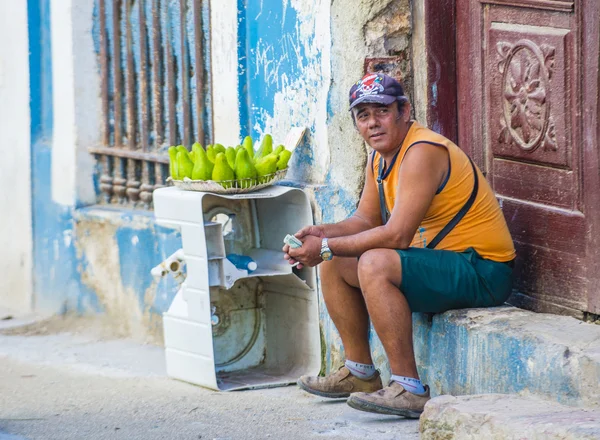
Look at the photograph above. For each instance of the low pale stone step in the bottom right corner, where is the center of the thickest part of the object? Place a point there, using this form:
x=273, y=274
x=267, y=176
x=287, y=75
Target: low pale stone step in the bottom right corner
x=504, y=416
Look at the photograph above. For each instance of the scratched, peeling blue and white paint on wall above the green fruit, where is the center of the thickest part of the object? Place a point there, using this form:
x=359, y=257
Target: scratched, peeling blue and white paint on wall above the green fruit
x=289, y=75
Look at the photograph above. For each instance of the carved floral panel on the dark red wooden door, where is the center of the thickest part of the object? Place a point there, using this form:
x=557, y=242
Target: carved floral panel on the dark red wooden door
x=530, y=102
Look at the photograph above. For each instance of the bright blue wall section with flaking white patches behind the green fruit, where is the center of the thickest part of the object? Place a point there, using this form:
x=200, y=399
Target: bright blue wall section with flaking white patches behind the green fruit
x=281, y=77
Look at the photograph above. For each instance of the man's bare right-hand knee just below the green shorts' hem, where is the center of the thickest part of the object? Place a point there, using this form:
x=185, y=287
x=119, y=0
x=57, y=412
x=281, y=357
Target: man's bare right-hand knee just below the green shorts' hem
x=378, y=265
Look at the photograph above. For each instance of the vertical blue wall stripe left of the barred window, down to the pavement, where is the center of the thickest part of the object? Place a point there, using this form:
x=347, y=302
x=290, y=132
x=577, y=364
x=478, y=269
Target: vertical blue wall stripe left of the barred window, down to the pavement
x=55, y=284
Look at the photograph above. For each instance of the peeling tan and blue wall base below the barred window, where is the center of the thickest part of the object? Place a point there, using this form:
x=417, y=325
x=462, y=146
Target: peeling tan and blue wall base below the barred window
x=119, y=249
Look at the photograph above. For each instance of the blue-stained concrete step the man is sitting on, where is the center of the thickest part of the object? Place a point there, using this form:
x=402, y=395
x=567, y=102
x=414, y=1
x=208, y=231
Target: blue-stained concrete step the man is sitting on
x=508, y=351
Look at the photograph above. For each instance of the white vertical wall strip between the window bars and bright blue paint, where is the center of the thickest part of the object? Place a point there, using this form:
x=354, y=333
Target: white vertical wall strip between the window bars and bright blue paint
x=224, y=68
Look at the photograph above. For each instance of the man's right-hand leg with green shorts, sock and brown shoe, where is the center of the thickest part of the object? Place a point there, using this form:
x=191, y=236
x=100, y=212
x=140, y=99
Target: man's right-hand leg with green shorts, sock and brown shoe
x=431, y=281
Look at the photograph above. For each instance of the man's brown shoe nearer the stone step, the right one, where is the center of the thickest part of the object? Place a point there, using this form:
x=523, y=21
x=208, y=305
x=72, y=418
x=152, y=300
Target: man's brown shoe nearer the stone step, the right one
x=393, y=400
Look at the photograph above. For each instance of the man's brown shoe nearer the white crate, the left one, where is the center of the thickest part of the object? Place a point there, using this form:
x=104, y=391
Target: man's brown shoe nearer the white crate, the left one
x=339, y=384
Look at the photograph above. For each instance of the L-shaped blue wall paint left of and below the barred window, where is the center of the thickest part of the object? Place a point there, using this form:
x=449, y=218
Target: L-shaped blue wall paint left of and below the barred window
x=62, y=270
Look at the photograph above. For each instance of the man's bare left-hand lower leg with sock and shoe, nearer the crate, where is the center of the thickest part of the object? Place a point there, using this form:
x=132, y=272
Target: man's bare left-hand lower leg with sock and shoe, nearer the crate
x=347, y=309
